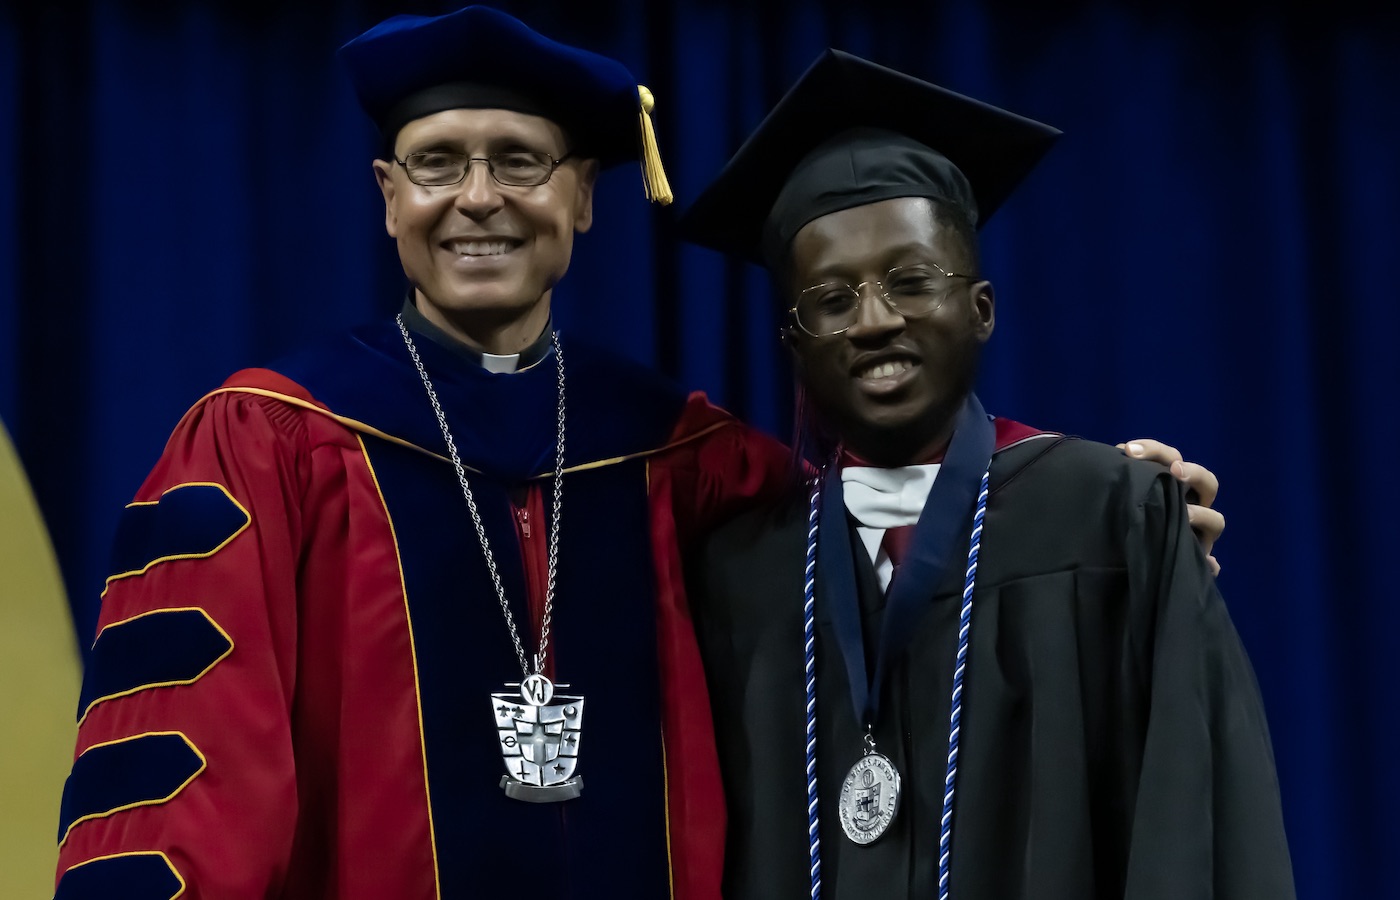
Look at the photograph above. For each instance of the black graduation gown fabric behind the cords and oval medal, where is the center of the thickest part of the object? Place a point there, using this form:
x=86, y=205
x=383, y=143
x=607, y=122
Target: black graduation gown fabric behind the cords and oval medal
x=1114, y=740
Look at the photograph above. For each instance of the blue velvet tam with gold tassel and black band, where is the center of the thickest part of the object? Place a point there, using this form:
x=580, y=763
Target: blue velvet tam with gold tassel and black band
x=412, y=66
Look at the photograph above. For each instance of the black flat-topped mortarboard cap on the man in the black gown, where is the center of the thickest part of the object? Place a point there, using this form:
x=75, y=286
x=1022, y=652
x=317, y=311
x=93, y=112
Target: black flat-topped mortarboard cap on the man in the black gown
x=849, y=134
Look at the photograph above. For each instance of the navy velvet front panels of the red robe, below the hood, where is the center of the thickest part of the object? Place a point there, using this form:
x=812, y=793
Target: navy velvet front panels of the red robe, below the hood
x=604, y=645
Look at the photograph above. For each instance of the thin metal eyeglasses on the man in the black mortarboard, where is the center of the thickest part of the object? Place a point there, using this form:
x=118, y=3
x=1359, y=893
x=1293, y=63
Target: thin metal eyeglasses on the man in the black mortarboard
x=912, y=292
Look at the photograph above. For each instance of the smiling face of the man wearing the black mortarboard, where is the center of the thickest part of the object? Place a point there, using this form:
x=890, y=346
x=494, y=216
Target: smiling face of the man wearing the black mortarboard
x=890, y=387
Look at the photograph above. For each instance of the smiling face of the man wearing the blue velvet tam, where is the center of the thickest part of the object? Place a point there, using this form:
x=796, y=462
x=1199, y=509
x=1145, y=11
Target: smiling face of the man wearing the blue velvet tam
x=484, y=257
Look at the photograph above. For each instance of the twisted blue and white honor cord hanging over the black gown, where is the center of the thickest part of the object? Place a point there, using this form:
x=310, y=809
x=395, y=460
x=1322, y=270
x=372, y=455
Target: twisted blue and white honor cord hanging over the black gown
x=946, y=835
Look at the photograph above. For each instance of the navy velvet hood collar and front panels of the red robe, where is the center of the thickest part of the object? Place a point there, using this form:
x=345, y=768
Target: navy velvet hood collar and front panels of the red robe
x=604, y=638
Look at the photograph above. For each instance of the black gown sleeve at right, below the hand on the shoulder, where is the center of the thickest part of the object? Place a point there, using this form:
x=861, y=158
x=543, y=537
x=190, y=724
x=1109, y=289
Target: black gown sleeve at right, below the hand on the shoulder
x=1207, y=820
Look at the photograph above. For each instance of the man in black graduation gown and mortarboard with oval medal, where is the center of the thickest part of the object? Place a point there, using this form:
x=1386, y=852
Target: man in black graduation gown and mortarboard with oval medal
x=1042, y=696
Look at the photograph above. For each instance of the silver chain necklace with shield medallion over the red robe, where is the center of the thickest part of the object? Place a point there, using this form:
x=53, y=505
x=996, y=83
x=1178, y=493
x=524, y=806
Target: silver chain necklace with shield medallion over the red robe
x=540, y=740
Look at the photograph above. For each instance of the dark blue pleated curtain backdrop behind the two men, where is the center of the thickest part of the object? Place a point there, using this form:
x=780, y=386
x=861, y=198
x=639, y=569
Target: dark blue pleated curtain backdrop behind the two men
x=1207, y=258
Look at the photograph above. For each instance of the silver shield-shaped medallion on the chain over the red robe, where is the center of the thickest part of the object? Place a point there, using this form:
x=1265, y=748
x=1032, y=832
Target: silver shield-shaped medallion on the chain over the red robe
x=540, y=734
